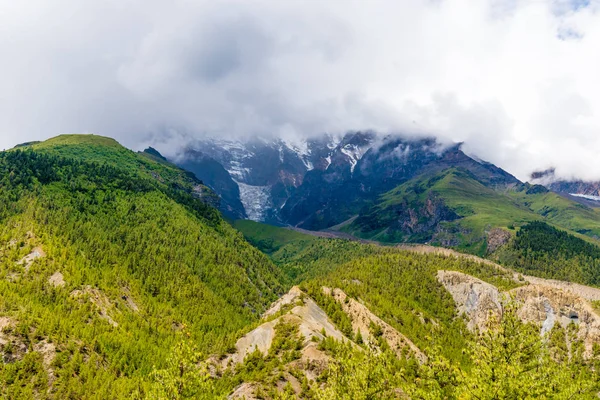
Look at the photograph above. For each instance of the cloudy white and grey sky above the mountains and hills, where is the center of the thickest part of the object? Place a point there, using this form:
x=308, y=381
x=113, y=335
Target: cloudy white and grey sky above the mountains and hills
x=517, y=81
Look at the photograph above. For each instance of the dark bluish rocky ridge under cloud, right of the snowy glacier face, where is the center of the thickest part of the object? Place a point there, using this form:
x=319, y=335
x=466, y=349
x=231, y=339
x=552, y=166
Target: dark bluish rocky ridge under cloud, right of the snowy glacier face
x=330, y=197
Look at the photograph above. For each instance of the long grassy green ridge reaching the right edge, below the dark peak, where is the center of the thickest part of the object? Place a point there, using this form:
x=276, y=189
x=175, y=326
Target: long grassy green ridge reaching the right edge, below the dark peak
x=454, y=209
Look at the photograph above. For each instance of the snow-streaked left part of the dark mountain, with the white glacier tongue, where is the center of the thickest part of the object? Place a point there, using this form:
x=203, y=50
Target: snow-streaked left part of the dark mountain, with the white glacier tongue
x=267, y=171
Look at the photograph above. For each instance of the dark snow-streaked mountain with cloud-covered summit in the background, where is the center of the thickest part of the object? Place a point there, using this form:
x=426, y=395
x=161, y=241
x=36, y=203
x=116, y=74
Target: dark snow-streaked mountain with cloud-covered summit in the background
x=318, y=182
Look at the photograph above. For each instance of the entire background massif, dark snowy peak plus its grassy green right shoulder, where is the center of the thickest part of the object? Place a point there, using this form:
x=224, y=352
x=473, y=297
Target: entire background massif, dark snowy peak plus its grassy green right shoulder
x=386, y=188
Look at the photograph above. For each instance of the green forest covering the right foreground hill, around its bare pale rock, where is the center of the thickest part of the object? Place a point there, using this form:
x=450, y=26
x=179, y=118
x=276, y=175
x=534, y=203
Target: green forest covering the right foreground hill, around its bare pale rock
x=508, y=361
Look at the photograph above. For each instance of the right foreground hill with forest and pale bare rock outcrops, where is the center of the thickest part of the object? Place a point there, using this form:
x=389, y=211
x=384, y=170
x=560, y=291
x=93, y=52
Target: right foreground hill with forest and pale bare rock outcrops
x=393, y=326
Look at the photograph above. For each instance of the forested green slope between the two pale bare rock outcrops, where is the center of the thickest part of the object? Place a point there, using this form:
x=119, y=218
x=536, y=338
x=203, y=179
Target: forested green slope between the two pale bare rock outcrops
x=397, y=285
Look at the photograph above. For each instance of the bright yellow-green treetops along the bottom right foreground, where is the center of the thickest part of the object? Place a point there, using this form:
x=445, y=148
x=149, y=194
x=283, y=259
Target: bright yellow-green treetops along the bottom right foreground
x=509, y=362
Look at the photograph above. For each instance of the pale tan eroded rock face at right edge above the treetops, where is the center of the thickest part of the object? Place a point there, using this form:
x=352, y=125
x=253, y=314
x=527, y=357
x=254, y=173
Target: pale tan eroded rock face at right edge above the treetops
x=543, y=303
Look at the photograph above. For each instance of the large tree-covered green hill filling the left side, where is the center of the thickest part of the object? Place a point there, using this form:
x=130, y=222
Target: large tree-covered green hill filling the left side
x=105, y=255
